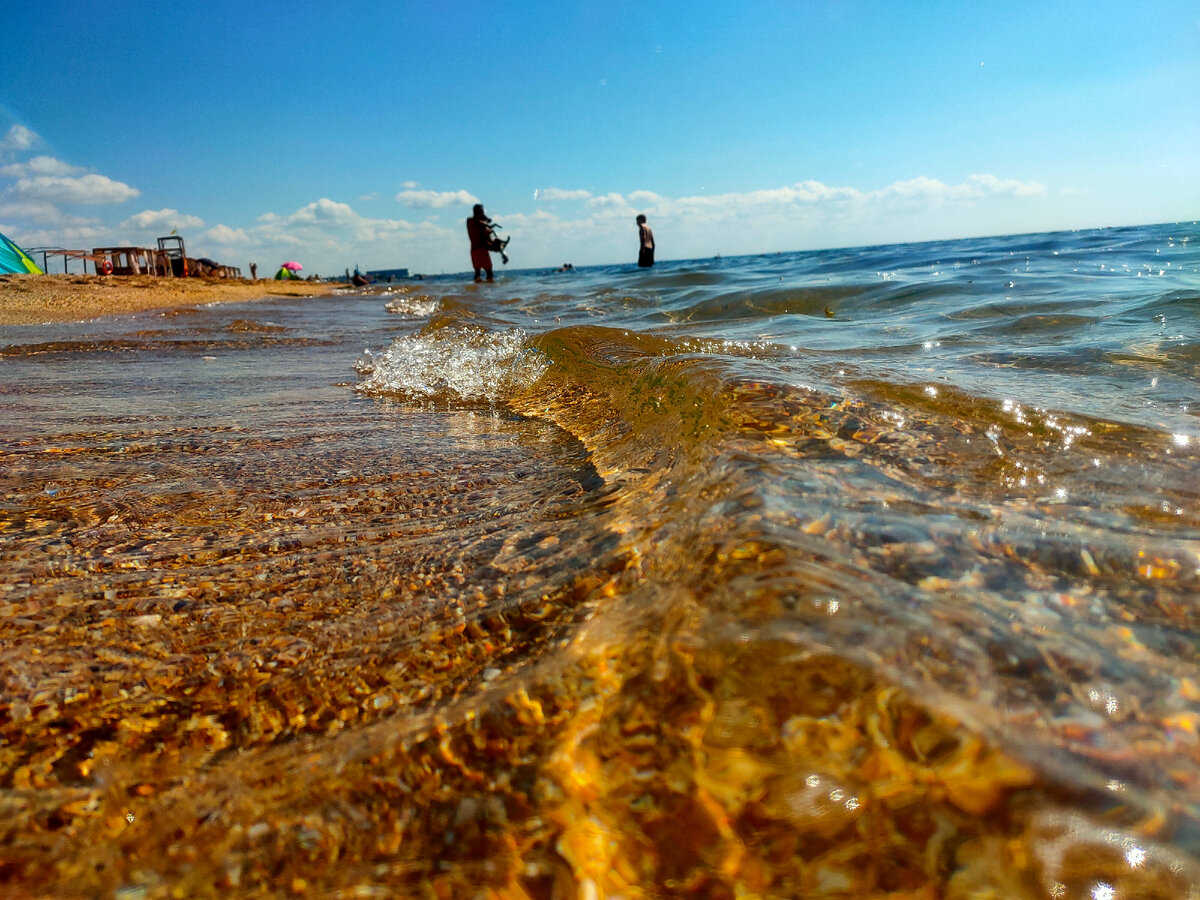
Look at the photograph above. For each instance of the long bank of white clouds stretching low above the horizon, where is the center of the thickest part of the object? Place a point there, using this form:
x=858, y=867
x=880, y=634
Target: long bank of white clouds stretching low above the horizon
x=556, y=225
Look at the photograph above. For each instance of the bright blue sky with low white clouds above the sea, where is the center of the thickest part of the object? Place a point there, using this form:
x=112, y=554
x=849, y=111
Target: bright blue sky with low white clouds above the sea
x=275, y=131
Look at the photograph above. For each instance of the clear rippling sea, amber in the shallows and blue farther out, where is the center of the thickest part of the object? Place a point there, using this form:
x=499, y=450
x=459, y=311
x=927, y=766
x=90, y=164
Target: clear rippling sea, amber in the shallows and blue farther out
x=848, y=573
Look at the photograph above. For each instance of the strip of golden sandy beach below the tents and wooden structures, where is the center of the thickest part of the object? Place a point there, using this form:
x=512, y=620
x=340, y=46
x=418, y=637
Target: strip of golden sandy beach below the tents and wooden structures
x=34, y=299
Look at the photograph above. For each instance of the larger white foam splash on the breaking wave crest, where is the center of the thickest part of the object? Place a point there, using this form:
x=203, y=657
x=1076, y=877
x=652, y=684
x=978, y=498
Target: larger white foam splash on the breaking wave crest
x=464, y=365
